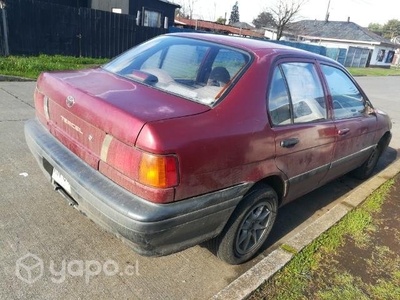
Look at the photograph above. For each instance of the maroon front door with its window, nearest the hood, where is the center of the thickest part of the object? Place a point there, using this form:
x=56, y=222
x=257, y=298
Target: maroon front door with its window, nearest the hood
x=355, y=126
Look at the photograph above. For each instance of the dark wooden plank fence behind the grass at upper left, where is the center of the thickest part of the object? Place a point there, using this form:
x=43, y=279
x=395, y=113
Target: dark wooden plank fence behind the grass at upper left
x=31, y=27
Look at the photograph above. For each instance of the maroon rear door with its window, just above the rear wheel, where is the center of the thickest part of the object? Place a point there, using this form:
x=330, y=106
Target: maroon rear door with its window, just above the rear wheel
x=304, y=132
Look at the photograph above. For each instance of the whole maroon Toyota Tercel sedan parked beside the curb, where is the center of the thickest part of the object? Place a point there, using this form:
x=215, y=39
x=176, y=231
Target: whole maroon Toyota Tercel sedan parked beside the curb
x=192, y=137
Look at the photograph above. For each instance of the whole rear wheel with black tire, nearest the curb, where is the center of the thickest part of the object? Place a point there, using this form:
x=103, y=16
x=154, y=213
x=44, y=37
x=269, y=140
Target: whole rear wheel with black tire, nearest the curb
x=248, y=227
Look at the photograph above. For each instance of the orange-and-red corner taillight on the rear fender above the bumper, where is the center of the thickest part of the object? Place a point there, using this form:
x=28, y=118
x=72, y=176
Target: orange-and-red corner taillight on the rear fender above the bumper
x=159, y=171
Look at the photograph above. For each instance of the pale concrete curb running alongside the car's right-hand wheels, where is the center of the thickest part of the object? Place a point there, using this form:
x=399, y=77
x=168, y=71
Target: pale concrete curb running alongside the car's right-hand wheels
x=244, y=285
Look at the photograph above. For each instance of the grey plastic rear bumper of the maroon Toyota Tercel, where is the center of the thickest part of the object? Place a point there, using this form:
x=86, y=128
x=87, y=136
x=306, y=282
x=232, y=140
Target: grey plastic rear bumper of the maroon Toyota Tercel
x=151, y=229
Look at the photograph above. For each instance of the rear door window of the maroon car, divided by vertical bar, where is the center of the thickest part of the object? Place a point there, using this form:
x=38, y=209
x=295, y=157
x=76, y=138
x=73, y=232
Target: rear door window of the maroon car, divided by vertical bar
x=296, y=95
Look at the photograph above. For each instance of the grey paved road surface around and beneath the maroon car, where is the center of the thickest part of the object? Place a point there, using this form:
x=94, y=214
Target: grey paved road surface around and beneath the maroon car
x=50, y=251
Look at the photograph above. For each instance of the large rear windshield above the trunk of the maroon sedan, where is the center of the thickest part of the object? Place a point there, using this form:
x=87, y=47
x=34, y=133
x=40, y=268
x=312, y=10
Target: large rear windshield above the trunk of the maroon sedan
x=196, y=70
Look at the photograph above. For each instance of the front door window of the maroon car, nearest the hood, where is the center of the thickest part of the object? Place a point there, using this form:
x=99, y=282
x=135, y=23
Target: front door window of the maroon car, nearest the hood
x=348, y=102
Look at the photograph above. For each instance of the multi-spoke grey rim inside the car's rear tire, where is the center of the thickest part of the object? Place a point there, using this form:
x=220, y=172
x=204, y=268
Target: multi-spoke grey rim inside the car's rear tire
x=253, y=229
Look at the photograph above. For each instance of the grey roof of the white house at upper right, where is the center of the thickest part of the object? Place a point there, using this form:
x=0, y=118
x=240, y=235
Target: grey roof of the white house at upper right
x=336, y=30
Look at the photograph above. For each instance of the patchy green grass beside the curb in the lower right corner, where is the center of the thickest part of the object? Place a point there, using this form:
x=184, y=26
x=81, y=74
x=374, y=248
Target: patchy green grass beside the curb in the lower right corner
x=292, y=281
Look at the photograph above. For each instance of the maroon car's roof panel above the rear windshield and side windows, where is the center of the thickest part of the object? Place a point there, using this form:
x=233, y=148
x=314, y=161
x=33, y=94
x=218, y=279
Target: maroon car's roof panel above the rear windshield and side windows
x=253, y=45
